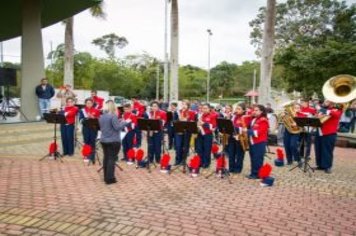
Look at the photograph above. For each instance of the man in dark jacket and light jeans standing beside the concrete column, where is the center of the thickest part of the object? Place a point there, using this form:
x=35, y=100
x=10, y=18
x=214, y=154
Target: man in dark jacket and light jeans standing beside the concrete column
x=44, y=92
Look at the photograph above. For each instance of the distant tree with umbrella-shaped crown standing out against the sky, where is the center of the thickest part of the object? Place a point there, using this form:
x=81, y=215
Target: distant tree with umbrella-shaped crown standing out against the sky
x=109, y=42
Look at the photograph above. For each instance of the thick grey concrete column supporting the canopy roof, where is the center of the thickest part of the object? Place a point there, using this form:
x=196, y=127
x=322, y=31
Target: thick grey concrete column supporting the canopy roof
x=32, y=57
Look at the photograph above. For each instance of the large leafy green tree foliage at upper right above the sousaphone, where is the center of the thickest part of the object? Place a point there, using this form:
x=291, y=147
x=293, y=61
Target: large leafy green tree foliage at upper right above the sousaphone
x=315, y=40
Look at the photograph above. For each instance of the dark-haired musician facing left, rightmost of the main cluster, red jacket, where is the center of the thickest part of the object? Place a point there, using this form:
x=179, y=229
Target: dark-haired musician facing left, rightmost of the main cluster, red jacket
x=258, y=133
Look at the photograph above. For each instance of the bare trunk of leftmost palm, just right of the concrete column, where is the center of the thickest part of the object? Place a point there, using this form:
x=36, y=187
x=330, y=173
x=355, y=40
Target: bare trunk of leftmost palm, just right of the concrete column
x=69, y=53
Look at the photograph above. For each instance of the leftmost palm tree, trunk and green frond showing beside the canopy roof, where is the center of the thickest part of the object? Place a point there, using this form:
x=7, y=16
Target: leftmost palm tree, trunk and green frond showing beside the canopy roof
x=96, y=11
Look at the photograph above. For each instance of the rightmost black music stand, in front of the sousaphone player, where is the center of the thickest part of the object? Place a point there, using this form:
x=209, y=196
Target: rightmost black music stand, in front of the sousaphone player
x=305, y=122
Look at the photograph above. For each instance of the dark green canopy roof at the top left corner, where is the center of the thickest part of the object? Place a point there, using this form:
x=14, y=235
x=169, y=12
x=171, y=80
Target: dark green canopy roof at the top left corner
x=53, y=11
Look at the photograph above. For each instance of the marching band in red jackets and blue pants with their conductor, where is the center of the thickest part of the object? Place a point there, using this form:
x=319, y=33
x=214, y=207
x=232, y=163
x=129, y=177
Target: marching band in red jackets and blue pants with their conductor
x=250, y=124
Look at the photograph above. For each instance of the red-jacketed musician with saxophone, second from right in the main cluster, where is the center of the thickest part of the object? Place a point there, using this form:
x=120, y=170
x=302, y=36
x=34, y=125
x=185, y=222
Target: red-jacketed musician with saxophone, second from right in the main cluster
x=235, y=151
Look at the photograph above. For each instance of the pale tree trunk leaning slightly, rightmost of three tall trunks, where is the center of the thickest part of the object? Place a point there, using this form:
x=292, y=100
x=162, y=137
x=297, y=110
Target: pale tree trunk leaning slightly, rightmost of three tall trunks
x=267, y=53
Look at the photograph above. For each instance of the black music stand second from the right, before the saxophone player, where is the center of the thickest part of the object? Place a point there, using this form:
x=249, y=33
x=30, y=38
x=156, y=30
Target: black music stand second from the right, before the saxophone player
x=227, y=129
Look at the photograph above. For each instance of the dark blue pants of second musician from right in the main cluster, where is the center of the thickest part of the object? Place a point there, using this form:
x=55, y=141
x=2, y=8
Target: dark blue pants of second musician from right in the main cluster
x=236, y=156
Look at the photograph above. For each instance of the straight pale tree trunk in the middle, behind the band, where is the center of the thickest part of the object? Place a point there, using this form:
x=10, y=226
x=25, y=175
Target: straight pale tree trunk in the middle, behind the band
x=174, y=51
